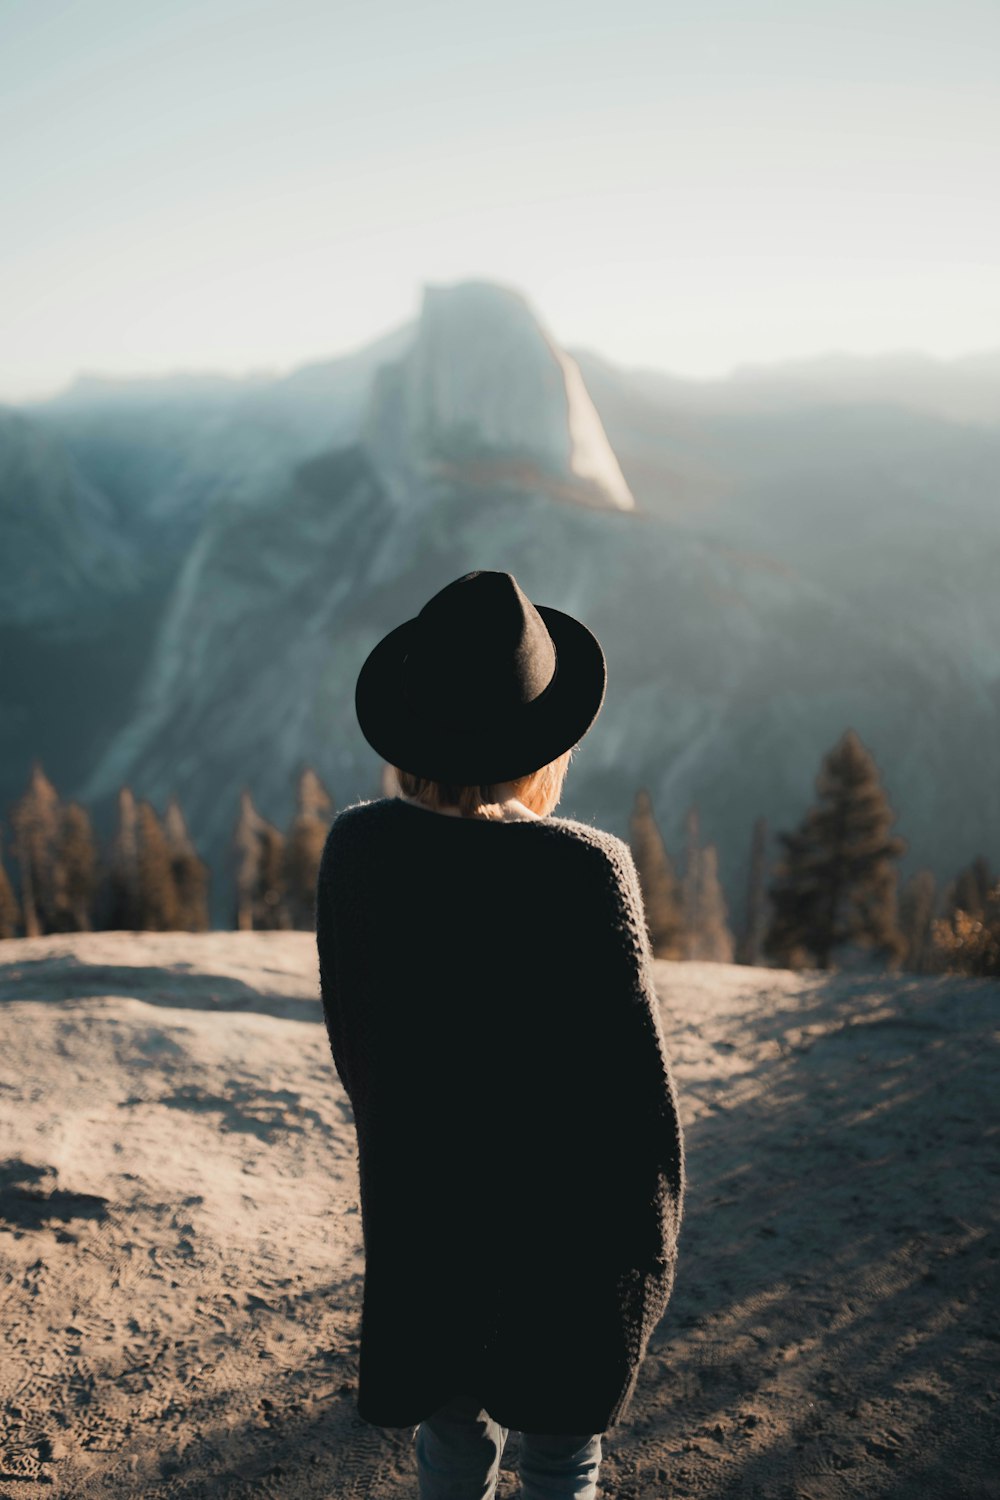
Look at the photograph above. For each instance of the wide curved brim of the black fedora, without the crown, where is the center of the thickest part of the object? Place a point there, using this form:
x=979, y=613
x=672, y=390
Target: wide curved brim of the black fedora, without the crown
x=470, y=755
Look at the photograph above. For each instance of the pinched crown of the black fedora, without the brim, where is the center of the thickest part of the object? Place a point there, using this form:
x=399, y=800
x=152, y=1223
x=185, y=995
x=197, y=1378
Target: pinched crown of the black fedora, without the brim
x=481, y=649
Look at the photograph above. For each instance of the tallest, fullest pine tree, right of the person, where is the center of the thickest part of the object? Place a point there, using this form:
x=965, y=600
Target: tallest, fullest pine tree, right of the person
x=837, y=881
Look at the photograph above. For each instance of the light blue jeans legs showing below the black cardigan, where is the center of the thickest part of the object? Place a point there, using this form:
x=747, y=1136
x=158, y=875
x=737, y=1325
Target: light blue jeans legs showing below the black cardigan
x=460, y=1450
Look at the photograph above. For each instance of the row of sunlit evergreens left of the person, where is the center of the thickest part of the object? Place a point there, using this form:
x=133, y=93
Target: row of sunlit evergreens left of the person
x=151, y=878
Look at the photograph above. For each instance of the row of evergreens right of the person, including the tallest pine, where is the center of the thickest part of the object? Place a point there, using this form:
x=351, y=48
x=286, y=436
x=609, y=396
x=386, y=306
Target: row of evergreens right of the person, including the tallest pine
x=831, y=895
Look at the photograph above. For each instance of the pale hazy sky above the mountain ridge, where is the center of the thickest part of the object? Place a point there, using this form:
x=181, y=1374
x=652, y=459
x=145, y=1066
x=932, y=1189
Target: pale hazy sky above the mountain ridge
x=239, y=187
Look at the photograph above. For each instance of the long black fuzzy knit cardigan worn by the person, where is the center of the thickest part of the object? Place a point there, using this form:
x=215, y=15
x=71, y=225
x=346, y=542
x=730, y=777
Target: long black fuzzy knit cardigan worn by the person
x=490, y=1001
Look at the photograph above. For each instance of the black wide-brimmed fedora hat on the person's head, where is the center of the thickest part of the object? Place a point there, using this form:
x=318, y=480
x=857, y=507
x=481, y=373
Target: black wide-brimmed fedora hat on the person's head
x=482, y=686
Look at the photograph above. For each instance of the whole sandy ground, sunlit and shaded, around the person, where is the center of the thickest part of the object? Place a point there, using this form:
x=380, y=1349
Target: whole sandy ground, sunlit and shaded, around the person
x=181, y=1255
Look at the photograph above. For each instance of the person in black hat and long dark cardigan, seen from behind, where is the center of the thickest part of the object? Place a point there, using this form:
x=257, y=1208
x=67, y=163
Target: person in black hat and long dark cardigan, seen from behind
x=487, y=980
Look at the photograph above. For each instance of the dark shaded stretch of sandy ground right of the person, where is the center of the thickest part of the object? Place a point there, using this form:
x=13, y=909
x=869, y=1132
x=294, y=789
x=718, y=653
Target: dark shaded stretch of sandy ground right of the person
x=834, y=1327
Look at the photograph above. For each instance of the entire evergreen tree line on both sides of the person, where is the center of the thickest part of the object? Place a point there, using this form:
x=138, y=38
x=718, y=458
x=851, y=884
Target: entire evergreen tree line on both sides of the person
x=833, y=890
